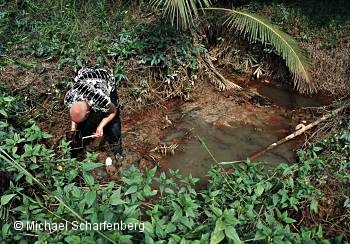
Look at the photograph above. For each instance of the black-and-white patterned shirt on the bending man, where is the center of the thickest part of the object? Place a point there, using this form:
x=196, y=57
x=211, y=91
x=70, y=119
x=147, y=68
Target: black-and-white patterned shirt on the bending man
x=94, y=86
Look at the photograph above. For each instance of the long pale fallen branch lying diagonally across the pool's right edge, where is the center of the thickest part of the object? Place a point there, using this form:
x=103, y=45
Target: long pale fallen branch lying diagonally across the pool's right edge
x=297, y=133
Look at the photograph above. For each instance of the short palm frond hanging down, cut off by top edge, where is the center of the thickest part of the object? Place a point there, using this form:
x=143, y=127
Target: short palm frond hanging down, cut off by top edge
x=183, y=12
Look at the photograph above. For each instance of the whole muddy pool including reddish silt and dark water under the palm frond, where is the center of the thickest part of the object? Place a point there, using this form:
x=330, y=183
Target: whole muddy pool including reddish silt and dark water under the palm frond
x=239, y=136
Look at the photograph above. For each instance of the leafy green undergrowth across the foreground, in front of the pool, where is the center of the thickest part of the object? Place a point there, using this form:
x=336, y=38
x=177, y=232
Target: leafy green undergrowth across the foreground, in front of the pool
x=245, y=205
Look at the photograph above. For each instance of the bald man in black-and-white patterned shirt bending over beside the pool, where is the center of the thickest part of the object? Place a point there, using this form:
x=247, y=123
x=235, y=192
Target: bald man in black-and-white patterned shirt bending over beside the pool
x=94, y=107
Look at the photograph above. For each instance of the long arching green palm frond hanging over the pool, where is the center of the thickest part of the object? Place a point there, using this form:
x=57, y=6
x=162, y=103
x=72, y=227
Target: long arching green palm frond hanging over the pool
x=257, y=28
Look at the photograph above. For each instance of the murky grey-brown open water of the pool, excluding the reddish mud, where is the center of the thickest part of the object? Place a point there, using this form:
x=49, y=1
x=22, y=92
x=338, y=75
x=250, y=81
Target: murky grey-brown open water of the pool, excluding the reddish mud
x=225, y=144
